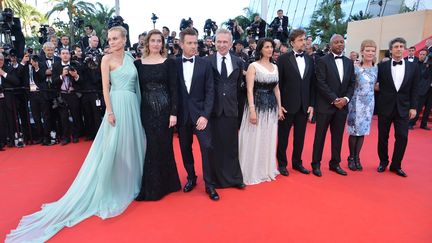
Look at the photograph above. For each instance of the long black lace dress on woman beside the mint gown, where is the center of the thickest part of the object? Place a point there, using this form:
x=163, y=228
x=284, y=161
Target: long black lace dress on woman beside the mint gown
x=158, y=84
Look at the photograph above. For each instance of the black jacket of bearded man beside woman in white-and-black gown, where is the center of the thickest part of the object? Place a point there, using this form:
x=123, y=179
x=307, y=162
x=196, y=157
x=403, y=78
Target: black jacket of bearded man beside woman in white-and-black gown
x=296, y=93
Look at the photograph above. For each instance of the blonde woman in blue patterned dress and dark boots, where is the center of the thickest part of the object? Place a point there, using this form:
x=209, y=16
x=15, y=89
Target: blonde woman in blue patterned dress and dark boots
x=361, y=106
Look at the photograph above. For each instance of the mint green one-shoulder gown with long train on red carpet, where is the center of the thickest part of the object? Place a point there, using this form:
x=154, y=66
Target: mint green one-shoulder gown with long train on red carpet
x=110, y=177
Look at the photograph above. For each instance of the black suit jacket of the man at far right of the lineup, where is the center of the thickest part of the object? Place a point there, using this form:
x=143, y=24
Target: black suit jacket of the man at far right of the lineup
x=389, y=97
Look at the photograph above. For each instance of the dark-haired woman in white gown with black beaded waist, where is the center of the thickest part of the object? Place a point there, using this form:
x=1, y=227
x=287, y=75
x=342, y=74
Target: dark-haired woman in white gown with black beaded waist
x=258, y=131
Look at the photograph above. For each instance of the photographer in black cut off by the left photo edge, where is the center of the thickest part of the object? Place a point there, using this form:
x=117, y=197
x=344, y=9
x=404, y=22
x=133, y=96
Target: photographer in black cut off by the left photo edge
x=7, y=101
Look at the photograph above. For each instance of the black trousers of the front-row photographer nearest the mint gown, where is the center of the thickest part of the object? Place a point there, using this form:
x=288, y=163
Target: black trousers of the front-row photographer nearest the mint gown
x=73, y=107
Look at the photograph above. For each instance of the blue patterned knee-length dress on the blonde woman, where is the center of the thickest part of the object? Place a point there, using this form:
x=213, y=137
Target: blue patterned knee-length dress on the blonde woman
x=361, y=106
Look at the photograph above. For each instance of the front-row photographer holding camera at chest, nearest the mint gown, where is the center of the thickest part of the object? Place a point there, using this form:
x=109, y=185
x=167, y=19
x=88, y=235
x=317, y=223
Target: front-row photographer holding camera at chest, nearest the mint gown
x=66, y=75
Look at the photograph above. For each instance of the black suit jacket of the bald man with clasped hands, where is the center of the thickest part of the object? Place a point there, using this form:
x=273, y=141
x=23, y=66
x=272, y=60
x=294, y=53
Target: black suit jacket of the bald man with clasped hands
x=328, y=83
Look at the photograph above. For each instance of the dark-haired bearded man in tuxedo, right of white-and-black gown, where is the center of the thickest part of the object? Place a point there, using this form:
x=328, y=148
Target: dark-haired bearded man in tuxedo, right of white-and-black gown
x=297, y=87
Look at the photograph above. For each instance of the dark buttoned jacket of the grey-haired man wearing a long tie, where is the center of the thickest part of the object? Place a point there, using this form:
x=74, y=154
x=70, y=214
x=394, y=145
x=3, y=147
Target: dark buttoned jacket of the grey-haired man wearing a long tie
x=227, y=90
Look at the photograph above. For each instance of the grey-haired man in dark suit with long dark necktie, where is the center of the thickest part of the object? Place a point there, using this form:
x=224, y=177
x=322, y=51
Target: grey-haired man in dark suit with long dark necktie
x=228, y=77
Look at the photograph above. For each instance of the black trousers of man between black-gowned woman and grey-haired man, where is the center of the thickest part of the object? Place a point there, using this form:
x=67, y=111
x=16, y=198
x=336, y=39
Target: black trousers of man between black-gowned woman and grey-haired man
x=186, y=140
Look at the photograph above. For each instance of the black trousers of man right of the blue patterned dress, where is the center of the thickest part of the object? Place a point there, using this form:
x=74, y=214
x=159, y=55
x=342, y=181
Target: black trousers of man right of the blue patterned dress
x=400, y=124
